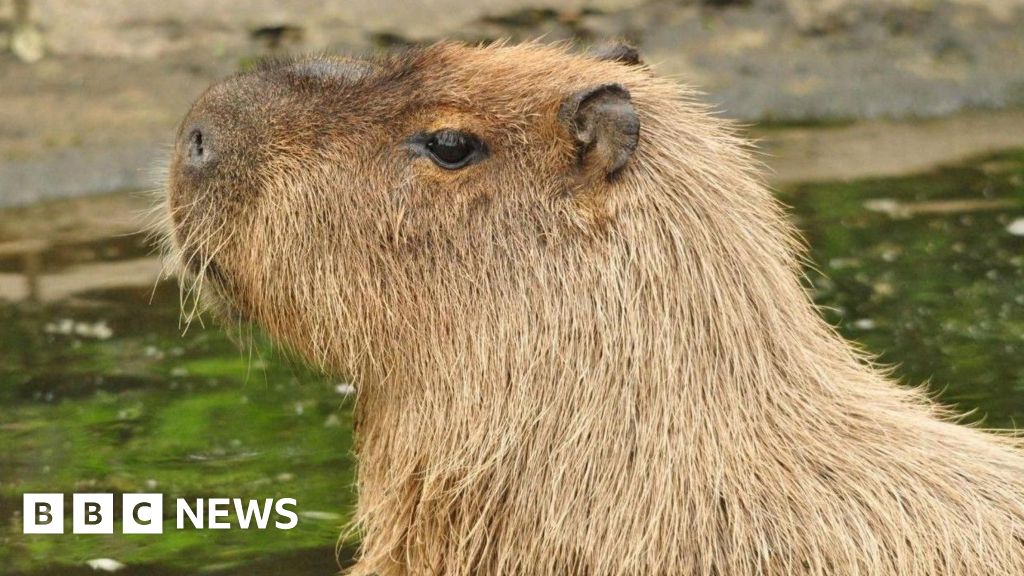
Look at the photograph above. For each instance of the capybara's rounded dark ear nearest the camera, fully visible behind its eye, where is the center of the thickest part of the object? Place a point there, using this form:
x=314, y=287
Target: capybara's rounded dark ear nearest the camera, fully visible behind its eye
x=606, y=128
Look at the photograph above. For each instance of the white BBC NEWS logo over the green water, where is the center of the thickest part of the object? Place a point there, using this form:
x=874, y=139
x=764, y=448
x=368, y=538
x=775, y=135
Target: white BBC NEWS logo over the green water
x=144, y=514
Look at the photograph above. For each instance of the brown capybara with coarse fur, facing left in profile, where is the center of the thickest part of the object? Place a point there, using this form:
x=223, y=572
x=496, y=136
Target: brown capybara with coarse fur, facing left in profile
x=586, y=357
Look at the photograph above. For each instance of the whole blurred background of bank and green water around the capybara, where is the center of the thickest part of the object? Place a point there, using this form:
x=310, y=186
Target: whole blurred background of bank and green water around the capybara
x=893, y=129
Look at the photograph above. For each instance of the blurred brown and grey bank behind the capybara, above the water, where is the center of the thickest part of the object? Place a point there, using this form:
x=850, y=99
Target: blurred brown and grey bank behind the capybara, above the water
x=97, y=113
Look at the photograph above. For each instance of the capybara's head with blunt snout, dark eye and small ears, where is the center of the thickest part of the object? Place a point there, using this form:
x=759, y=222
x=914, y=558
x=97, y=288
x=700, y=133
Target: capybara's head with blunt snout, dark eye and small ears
x=343, y=203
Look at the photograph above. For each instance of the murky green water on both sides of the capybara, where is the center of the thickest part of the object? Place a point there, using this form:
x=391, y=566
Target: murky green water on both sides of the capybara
x=100, y=391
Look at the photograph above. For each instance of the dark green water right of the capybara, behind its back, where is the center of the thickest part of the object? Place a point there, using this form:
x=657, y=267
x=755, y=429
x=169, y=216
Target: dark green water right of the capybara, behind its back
x=928, y=273
